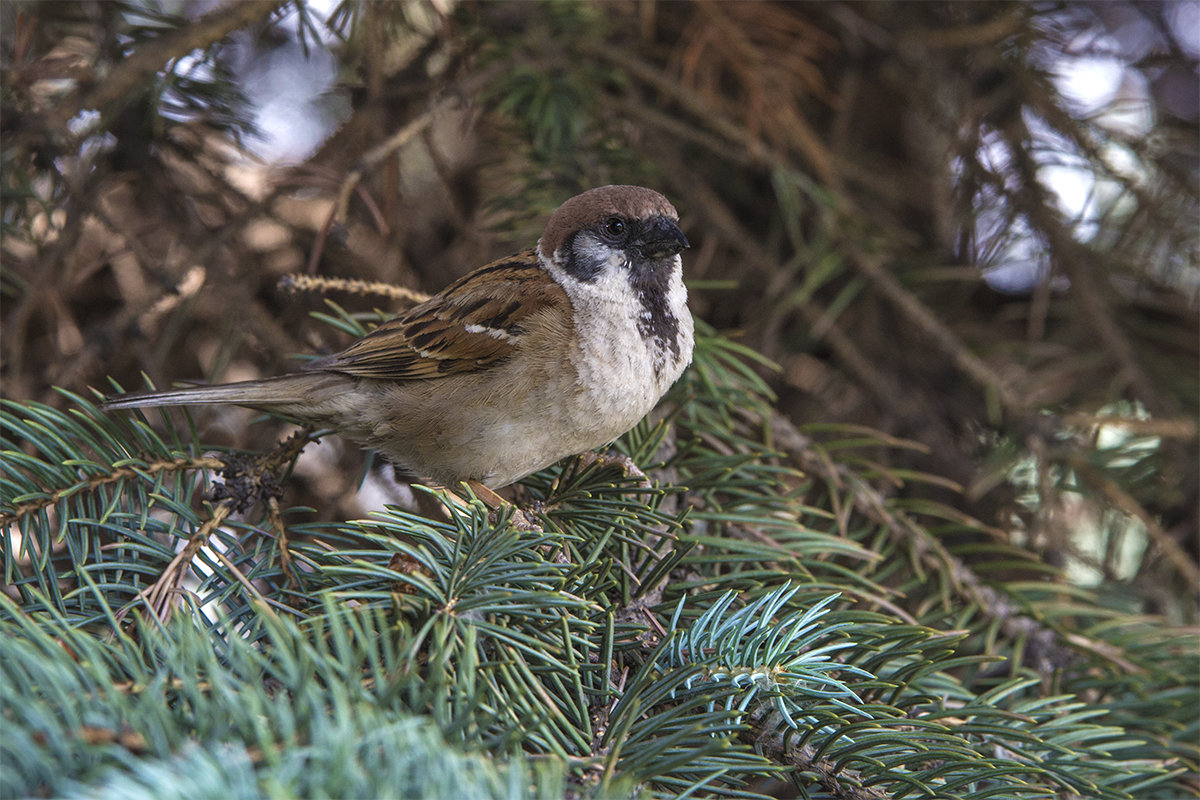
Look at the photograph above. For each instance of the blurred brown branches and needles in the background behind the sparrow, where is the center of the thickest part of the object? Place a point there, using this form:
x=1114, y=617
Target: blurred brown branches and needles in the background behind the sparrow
x=963, y=237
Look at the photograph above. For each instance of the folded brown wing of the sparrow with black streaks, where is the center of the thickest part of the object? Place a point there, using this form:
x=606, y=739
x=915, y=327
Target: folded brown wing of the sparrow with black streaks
x=473, y=324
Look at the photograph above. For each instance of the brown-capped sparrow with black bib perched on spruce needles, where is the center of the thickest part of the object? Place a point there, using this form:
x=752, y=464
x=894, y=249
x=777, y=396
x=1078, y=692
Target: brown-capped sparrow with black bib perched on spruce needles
x=550, y=353
